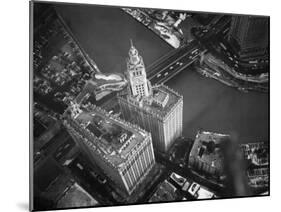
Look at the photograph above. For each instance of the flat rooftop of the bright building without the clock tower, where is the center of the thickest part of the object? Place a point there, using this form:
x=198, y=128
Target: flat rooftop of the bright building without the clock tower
x=113, y=138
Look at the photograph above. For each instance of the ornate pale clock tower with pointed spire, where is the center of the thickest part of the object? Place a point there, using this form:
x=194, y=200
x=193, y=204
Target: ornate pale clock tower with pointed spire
x=139, y=86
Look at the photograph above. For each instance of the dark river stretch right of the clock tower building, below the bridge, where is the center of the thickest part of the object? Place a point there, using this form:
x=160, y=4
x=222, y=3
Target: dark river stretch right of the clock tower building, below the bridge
x=213, y=106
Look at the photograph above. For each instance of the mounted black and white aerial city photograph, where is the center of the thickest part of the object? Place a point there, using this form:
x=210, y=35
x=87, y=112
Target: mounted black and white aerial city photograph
x=138, y=105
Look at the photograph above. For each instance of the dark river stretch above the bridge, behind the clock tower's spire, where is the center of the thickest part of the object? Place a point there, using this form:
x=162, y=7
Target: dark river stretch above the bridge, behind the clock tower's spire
x=105, y=35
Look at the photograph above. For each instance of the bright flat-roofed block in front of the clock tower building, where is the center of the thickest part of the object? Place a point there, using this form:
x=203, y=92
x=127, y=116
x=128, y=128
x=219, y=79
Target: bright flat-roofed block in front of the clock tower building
x=123, y=151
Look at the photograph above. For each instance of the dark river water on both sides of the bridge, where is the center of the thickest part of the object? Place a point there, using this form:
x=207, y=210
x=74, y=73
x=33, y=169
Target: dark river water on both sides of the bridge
x=104, y=33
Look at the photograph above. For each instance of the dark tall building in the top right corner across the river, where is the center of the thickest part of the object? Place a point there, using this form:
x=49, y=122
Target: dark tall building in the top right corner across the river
x=249, y=36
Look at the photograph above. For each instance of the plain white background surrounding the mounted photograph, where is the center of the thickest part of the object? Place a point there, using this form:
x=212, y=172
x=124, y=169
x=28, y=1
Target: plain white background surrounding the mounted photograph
x=15, y=104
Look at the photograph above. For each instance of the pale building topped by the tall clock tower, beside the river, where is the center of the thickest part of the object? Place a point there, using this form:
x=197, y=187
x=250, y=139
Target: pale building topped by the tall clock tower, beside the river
x=156, y=109
